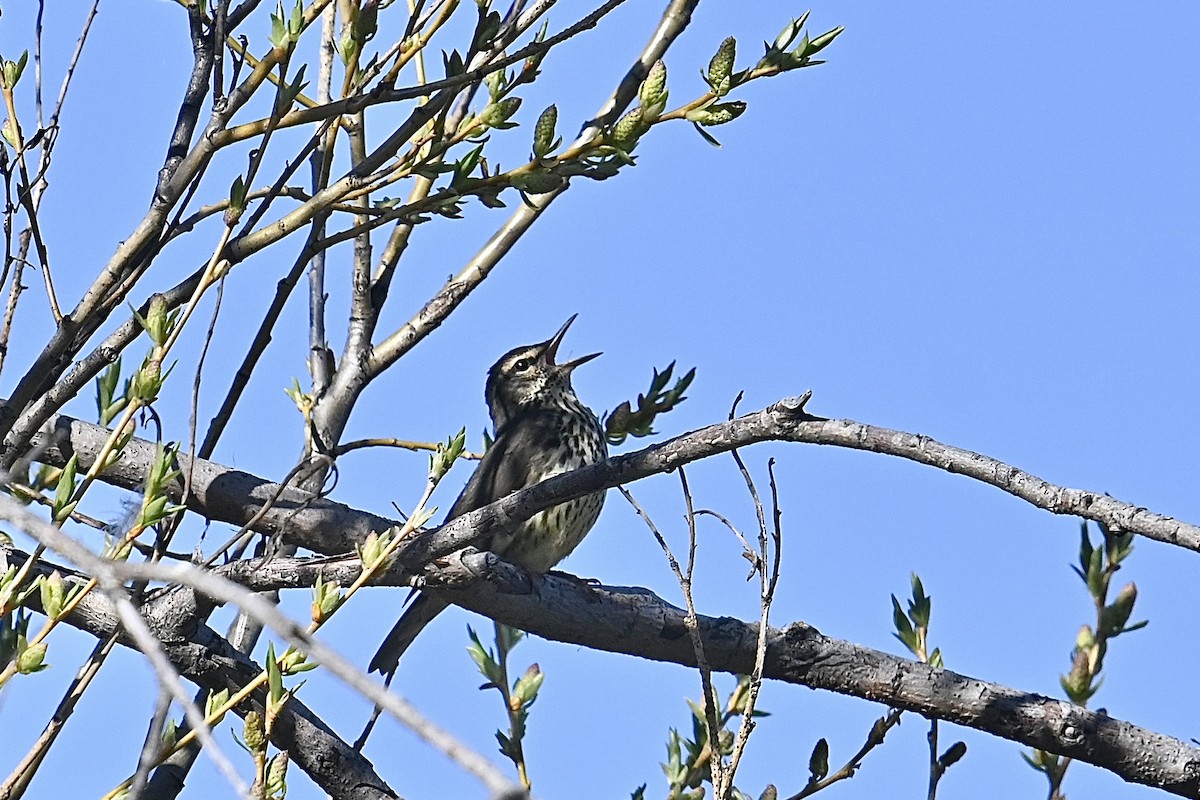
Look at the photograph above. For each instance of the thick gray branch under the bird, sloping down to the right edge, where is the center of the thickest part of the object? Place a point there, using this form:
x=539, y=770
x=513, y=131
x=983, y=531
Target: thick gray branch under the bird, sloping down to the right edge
x=637, y=622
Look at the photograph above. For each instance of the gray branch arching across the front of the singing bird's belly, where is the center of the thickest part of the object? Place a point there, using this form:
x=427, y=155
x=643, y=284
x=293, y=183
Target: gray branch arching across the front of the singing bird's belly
x=231, y=496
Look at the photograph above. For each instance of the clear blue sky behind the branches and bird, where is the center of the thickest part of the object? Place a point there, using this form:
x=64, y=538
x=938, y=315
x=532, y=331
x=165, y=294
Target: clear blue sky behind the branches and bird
x=970, y=225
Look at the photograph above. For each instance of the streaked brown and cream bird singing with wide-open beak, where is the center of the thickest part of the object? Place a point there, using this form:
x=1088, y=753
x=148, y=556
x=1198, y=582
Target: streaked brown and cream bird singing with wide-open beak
x=542, y=429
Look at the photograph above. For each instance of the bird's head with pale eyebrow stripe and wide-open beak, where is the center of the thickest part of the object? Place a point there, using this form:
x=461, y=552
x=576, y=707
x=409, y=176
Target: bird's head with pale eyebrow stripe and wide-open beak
x=529, y=377
